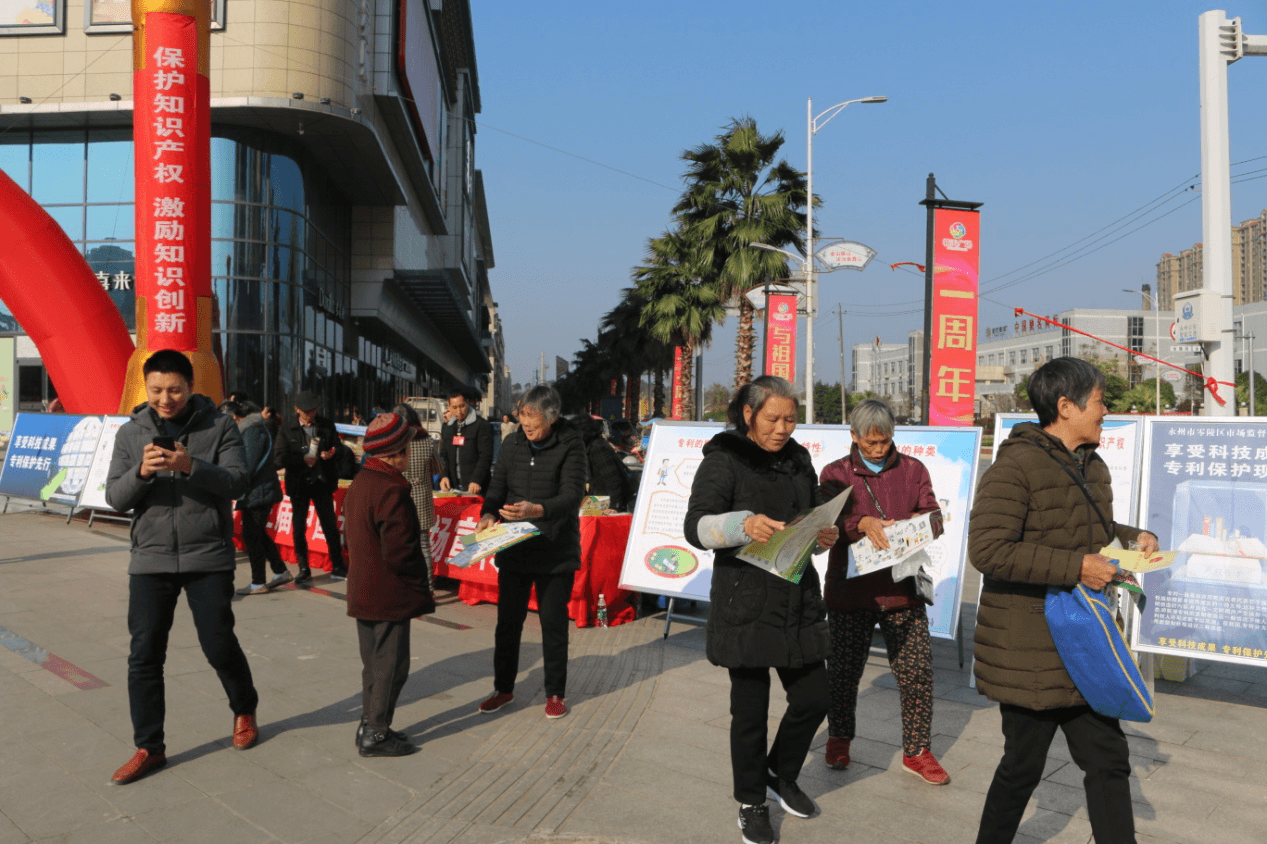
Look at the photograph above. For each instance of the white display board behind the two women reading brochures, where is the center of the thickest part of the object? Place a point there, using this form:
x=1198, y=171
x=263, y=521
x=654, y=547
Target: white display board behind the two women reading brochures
x=659, y=561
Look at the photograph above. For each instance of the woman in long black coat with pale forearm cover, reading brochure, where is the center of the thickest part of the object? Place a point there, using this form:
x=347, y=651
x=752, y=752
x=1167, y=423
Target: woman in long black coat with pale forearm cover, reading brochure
x=753, y=481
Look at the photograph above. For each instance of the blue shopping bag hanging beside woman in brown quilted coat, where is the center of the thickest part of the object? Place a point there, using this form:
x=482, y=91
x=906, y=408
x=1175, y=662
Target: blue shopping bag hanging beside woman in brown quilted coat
x=1097, y=656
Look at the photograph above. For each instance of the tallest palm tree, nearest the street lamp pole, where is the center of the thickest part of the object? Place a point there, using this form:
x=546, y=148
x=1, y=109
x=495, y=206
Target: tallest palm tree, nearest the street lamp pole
x=738, y=195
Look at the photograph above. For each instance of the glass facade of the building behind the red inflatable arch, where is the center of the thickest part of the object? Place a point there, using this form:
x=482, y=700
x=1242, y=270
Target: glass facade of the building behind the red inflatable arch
x=281, y=264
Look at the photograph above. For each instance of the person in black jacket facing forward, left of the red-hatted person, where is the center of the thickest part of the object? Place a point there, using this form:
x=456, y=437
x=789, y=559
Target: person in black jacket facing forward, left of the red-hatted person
x=307, y=447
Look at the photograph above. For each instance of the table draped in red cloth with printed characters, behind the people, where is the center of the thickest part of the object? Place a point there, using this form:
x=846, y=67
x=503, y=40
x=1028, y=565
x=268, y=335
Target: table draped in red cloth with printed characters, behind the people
x=602, y=552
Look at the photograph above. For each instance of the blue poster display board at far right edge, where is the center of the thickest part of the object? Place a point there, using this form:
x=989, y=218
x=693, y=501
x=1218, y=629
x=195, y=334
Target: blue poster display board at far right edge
x=1206, y=497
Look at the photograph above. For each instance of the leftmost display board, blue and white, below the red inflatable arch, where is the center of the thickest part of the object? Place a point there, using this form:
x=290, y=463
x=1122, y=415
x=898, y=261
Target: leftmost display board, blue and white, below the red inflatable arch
x=49, y=457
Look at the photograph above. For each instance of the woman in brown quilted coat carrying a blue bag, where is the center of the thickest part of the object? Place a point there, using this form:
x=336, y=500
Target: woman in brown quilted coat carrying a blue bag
x=1043, y=511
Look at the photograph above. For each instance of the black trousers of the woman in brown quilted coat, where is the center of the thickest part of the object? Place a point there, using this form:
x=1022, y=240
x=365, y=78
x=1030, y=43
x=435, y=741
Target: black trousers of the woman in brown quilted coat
x=1098, y=747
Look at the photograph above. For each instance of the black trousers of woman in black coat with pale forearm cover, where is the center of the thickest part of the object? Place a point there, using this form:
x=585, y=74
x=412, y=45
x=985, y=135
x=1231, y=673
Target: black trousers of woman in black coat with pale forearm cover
x=749, y=717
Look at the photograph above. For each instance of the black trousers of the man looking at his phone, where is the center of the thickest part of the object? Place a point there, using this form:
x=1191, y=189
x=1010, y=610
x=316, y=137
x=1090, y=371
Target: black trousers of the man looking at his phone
x=151, y=610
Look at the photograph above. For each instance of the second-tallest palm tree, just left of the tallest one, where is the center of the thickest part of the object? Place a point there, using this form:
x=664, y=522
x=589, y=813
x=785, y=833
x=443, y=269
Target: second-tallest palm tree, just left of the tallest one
x=682, y=305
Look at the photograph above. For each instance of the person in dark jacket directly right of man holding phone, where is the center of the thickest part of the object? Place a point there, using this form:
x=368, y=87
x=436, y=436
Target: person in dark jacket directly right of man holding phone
x=263, y=492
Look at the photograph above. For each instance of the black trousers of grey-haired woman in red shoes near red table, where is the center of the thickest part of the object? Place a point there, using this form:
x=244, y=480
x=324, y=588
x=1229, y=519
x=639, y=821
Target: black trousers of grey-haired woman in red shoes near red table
x=514, y=591
